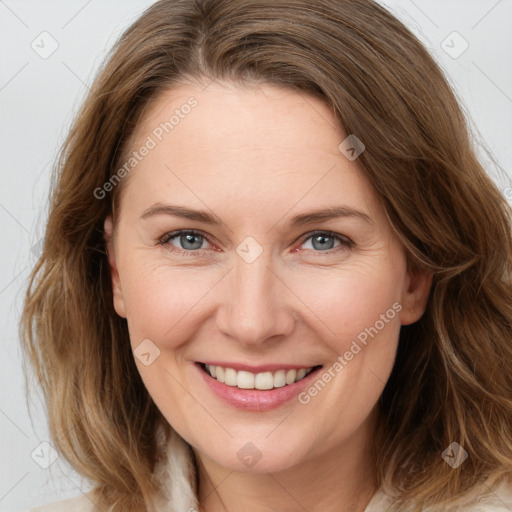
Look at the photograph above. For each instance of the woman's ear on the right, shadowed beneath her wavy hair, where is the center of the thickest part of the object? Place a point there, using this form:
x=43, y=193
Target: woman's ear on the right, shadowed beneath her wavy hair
x=415, y=294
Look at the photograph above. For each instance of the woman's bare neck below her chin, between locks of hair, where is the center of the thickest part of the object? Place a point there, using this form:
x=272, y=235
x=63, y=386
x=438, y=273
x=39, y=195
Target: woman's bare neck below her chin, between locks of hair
x=344, y=481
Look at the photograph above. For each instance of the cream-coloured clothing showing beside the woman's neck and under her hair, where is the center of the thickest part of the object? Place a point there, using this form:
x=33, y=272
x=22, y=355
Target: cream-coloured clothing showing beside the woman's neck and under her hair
x=178, y=477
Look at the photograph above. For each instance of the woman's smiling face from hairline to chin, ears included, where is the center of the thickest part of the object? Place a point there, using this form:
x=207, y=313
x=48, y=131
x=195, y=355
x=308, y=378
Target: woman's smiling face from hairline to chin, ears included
x=249, y=247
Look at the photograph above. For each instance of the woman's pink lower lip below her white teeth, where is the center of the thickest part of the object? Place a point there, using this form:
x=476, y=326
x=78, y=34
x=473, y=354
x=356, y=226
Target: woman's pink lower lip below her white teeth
x=255, y=399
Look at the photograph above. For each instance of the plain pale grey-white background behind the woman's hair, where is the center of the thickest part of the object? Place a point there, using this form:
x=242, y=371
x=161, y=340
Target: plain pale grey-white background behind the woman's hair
x=38, y=98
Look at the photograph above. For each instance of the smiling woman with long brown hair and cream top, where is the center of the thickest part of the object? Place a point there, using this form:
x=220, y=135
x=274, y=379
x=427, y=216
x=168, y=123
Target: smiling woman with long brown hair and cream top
x=275, y=276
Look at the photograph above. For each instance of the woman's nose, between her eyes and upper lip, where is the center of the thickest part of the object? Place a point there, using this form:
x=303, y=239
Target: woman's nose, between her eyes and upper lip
x=257, y=306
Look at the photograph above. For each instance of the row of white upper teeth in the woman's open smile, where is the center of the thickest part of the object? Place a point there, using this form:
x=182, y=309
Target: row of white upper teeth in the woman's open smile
x=262, y=381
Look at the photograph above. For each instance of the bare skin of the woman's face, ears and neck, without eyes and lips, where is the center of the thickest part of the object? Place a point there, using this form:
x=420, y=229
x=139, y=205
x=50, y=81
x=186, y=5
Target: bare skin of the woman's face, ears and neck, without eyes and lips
x=255, y=156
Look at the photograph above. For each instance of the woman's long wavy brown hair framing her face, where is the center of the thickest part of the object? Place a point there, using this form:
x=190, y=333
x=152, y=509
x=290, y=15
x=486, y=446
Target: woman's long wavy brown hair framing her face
x=452, y=379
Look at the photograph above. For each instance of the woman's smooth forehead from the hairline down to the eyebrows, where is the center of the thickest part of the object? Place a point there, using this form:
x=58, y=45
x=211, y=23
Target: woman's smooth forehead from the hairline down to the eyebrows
x=263, y=142
